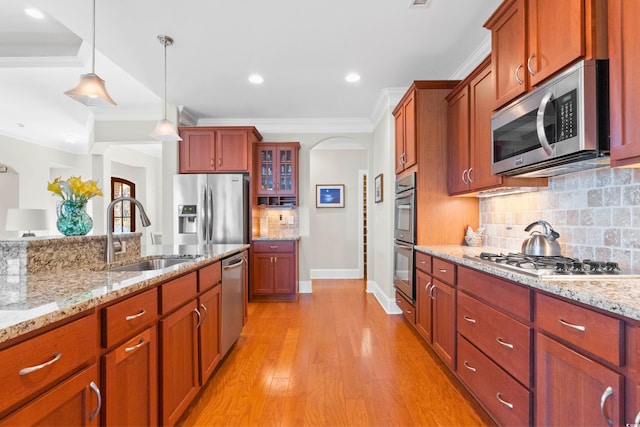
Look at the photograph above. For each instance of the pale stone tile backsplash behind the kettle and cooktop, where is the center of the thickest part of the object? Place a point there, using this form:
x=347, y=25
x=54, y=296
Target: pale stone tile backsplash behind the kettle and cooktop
x=596, y=212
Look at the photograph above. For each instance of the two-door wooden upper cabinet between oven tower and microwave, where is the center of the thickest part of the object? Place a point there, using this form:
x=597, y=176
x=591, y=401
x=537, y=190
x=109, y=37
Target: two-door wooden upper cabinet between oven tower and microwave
x=469, y=148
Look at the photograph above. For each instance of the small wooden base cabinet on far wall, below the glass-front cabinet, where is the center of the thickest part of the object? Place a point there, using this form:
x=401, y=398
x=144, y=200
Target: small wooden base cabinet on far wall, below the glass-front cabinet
x=273, y=269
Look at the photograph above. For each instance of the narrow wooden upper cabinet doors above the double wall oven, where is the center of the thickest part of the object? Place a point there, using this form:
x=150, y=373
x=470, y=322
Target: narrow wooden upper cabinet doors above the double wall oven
x=405, y=125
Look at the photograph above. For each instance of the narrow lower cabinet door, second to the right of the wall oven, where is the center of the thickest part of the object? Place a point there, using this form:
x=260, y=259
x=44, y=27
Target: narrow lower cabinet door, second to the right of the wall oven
x=444, y=325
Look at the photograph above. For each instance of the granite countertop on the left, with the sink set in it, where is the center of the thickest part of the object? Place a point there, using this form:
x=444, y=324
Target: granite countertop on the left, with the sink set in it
x=30, y=301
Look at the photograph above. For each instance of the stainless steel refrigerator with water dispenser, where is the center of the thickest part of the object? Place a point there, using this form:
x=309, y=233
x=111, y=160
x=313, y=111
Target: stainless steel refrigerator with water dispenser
x=211, y=208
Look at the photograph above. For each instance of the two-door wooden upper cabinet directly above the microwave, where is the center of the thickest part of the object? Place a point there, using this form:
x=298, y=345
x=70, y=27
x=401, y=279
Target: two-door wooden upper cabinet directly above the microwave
x=533, y=39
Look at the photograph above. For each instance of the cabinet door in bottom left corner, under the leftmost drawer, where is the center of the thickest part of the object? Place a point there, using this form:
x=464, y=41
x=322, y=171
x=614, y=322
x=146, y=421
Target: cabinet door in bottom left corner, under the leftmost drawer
x=74, y=402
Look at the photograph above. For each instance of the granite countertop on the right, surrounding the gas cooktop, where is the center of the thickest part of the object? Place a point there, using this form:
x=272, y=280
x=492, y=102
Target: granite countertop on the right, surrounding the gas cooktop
x=619, y=296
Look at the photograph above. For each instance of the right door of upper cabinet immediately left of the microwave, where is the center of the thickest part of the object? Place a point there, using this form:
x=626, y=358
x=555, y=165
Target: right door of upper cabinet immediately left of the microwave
x=480, y=101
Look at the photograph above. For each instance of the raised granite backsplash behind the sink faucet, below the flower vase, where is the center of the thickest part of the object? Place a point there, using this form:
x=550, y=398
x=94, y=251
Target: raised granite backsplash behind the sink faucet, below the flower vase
x=55, y=254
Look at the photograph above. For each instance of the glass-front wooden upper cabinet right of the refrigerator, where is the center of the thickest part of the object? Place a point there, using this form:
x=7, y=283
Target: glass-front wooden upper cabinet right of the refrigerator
x=276, y=173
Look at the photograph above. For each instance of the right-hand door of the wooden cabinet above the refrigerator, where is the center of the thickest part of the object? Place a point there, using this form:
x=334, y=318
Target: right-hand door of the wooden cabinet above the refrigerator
x=232, y=151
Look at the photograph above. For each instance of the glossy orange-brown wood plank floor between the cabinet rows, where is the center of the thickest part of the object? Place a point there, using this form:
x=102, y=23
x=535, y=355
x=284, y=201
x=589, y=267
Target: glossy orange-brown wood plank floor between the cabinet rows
x=333, y=358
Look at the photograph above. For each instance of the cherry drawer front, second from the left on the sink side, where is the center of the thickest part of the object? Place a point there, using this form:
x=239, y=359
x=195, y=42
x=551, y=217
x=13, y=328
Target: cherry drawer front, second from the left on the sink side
x=126, y=318
